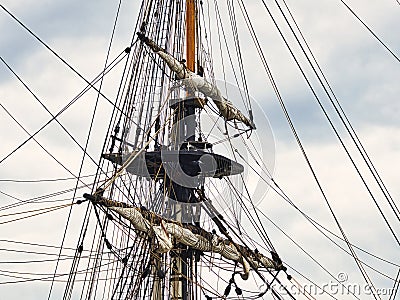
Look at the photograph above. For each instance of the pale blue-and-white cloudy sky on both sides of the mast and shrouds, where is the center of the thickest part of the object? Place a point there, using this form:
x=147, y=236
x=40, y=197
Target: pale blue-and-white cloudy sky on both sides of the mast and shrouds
x=363, y=74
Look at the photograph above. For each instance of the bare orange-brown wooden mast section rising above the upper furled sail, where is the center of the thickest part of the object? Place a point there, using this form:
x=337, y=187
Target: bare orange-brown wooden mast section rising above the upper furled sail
x=190, y=35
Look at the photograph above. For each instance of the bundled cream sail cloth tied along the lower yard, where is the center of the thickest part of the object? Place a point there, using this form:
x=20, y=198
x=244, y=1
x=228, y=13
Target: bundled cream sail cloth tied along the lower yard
x=166, y=232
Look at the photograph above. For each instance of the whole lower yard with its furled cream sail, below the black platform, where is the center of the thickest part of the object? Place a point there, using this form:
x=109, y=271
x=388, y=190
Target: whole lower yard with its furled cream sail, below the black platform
x=168, y=232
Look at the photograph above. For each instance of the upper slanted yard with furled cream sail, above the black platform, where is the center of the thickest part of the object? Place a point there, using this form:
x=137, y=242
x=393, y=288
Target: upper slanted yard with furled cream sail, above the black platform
x=197, y=83
